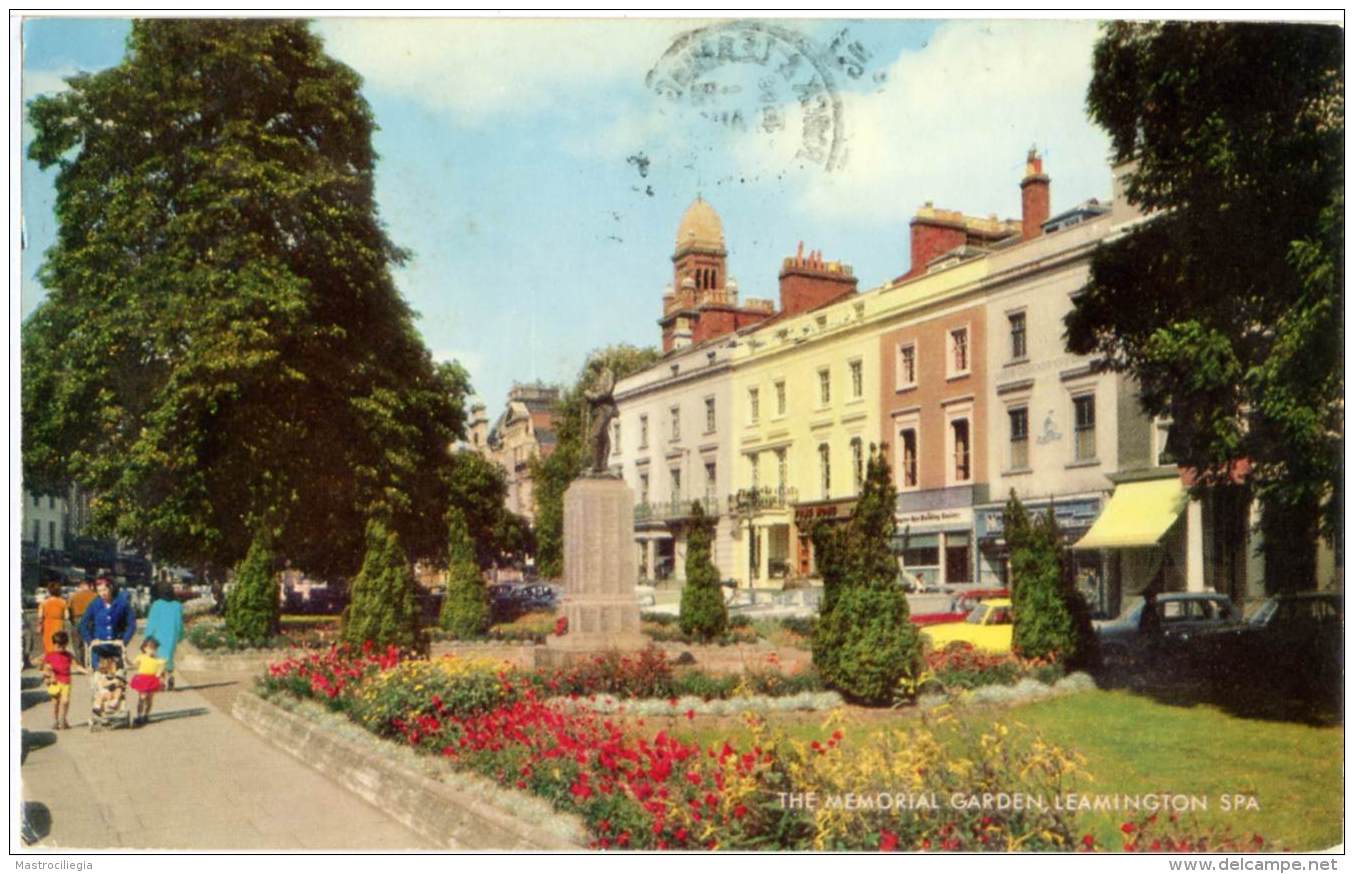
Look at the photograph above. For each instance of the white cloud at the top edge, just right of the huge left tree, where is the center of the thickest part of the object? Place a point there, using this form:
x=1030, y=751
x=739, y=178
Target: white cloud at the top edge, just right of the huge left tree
x=479, y=68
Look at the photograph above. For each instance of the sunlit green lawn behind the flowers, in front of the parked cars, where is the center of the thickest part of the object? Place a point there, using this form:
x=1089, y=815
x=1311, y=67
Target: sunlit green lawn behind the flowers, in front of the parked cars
x=1138, y=746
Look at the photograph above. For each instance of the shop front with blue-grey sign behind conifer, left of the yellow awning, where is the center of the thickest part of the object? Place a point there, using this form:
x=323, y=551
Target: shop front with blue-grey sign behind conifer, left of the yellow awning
x=1074, y=517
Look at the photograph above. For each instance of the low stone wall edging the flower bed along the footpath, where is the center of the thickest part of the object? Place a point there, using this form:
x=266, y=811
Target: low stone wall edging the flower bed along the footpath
x=457, y=812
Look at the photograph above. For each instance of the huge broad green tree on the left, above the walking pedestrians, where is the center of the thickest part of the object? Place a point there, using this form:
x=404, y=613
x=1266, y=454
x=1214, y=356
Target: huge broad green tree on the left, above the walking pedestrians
x=223, y=350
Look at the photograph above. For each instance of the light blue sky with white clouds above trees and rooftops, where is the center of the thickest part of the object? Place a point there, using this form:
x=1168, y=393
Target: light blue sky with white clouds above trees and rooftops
x=504, y=167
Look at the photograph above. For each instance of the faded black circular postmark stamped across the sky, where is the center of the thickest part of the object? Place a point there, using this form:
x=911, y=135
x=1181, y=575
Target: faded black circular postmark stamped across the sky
x=758, y=77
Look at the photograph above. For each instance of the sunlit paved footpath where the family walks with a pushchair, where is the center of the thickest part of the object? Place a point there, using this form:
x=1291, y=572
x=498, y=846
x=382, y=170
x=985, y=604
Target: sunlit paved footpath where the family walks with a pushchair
x=192, y=778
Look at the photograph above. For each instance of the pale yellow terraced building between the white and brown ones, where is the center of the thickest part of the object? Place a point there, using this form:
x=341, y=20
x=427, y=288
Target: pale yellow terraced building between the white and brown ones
x=806, y=395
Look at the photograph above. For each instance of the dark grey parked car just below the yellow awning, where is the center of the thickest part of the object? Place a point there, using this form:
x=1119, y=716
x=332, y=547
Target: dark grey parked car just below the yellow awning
x=1142, y=638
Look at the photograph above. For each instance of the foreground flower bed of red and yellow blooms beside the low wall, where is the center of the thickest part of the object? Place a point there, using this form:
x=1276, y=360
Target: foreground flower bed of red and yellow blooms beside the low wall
x=549, y=735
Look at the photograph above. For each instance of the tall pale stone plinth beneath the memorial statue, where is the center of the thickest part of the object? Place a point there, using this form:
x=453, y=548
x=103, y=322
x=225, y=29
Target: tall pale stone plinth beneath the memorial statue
x=599, y=571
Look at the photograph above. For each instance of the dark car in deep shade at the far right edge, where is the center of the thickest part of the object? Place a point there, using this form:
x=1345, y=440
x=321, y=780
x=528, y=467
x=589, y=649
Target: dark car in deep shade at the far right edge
x=1292, y=643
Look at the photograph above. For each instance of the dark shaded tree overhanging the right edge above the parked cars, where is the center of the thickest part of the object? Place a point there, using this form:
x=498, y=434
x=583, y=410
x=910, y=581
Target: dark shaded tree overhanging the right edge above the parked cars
x=1227, y=306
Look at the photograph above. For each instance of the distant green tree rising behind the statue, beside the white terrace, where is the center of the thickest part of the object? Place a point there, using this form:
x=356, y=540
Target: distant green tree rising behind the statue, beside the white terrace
x=552, y=476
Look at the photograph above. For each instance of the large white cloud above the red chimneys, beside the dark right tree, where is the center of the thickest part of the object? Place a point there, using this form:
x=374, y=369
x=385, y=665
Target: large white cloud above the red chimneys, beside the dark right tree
x=955, y=123
